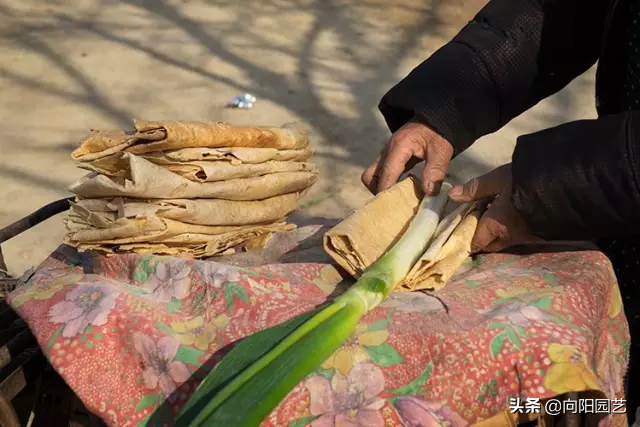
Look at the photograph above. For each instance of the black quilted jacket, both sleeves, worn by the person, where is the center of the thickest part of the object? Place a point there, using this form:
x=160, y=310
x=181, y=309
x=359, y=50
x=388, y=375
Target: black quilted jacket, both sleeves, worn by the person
x=579, y=180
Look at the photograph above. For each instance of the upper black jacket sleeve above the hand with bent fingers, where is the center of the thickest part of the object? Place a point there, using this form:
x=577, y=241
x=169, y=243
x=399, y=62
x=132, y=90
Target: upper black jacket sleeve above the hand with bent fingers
x=513, y=54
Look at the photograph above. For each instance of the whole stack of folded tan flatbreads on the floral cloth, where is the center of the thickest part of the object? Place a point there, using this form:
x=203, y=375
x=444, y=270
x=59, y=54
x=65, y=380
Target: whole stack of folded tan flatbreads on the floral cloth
x=187, y=188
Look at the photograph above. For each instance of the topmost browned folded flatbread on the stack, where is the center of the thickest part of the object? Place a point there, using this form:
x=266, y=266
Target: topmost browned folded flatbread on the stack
x=150, y=136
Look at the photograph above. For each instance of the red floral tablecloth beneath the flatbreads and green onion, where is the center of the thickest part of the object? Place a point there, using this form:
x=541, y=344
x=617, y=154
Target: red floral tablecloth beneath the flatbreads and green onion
x=134, y=335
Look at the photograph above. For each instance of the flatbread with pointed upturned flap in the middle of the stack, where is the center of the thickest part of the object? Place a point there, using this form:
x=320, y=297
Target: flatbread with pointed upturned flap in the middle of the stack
x=143, y=179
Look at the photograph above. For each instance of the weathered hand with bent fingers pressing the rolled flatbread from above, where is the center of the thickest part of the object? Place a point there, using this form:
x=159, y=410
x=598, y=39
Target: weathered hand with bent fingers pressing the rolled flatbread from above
x=409, y=145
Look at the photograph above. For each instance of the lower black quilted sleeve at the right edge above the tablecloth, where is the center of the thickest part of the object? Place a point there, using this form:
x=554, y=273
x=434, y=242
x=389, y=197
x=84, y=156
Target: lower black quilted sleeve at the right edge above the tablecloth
x=580, y=180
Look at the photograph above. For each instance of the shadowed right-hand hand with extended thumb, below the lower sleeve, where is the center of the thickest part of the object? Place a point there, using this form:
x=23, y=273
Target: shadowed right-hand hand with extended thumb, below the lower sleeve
x=501, y=225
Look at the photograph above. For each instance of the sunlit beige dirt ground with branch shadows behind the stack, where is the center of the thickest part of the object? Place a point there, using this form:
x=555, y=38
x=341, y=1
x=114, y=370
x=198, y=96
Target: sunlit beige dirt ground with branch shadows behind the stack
x=67, y=66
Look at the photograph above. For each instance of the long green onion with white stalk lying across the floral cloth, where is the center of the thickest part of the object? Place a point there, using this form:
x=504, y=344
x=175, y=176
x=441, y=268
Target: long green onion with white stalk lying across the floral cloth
x=254, y=377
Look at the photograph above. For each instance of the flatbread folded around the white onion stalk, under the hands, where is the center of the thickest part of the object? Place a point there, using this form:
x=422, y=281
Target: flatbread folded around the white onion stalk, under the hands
x=369, y=232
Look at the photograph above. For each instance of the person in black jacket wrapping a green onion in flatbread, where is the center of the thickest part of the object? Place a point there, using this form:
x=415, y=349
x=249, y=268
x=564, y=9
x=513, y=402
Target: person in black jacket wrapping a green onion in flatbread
x=576, y=181
